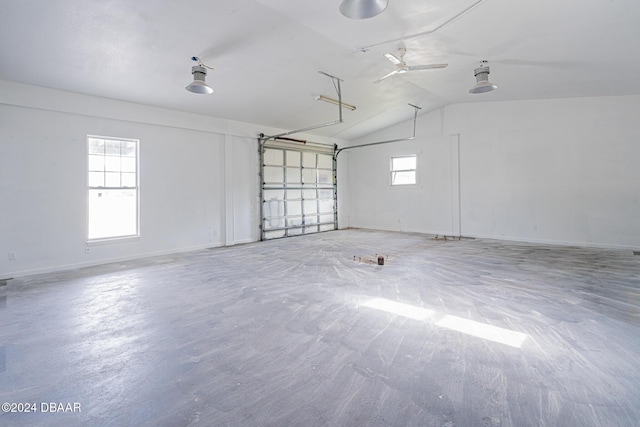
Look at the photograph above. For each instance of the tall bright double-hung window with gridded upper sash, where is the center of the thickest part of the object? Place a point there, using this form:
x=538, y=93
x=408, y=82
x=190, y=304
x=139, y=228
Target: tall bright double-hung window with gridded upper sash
x=113, y=188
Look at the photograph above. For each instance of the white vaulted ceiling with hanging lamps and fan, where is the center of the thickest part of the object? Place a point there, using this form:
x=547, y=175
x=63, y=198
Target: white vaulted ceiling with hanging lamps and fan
x=267, y=54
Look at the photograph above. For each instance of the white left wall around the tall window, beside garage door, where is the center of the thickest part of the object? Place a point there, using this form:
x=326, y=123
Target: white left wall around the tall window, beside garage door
x=198, y=179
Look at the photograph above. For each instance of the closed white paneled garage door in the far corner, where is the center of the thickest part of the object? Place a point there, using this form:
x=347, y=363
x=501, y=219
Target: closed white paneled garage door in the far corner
x=298, y=189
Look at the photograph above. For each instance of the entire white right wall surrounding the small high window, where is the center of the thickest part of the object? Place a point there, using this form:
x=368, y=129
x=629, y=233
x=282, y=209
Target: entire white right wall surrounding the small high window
x=558, y=171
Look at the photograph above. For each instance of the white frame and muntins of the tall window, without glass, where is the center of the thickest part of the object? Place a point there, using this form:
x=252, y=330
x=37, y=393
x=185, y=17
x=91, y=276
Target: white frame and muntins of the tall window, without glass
x=136, y=188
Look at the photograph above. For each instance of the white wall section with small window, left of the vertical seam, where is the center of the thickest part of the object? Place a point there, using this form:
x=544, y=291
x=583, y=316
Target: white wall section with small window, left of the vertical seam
x=426, y=207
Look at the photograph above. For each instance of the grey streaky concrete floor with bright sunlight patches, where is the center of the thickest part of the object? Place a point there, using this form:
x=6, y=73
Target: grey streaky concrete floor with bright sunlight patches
x=307, y=332
